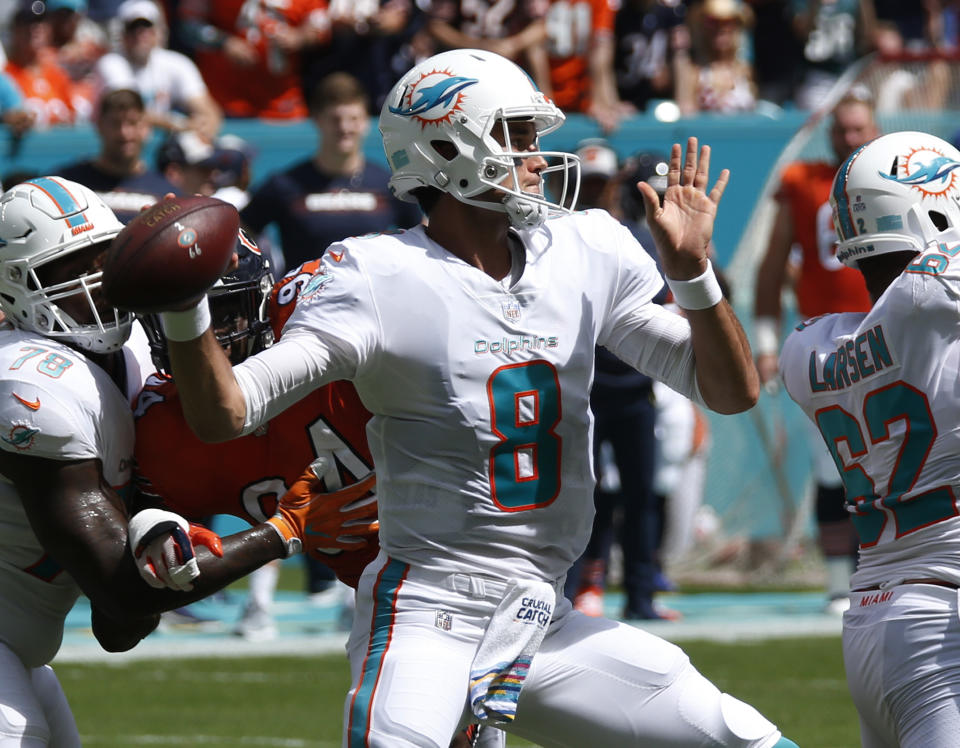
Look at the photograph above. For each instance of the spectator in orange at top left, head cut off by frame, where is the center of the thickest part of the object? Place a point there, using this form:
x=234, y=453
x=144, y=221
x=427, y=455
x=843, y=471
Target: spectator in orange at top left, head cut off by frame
x=249, y=53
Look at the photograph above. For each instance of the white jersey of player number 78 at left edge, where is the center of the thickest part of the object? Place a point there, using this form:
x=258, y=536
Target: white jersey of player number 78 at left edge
x=54, y=403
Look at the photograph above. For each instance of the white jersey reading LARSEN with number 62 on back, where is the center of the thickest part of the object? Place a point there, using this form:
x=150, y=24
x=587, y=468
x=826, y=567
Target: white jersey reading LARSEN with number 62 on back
x=882, y=388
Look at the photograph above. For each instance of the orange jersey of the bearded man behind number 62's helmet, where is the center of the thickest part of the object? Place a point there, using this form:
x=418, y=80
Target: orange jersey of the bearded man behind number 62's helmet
x=825, y=284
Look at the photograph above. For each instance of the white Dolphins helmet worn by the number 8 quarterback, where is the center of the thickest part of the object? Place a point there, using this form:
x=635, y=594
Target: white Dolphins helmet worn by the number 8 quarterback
x=455, y=99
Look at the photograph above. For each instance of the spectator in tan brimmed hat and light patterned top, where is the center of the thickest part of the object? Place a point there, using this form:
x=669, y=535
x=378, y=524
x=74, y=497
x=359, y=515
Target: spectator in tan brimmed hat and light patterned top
x=718, y=78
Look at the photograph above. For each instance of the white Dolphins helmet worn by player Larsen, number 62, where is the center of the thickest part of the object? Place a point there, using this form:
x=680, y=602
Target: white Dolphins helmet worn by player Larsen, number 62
x=898, y=192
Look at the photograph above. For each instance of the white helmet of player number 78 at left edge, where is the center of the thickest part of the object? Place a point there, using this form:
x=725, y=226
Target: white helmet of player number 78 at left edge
x=42, y=221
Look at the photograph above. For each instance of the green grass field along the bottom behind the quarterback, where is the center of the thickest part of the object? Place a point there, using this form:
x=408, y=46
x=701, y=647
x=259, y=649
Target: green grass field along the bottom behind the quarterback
x=296, y=702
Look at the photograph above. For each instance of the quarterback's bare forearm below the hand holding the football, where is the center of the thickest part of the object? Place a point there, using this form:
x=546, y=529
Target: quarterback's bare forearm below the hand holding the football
x=212, y=401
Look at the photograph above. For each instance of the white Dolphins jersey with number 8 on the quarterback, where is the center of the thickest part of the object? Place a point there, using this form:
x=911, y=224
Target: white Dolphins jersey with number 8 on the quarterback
x=479, y=388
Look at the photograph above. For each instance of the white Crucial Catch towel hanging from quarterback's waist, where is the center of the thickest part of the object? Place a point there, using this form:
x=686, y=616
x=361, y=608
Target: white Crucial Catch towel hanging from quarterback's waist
x=512, y=638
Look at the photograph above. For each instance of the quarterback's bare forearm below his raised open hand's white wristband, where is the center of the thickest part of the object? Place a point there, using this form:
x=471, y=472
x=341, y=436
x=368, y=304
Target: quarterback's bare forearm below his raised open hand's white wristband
x=726, y=375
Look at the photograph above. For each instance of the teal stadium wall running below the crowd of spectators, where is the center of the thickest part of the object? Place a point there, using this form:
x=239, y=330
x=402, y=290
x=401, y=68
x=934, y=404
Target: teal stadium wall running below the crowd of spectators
x=746, y=144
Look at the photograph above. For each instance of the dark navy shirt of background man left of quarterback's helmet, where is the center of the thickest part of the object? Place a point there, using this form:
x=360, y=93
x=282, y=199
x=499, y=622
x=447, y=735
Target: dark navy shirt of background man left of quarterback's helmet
x=313, y=209
